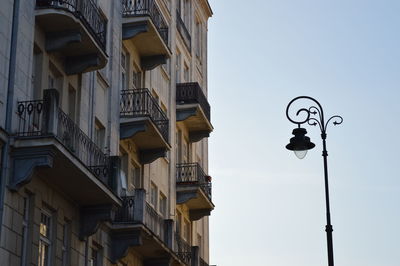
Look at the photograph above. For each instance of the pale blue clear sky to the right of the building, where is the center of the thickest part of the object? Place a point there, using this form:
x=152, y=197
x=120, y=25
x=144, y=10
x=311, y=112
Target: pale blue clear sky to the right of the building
x=270, y=208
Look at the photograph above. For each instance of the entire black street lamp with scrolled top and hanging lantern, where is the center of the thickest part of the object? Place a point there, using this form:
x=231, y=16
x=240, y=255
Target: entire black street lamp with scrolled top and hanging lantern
x=300, y=143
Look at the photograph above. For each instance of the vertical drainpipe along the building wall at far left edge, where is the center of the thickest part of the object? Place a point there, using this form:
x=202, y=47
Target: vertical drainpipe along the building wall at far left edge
x=9, y=107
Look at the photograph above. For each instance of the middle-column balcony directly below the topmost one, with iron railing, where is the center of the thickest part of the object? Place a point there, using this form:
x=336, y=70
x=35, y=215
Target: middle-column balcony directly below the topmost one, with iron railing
x=145, y=123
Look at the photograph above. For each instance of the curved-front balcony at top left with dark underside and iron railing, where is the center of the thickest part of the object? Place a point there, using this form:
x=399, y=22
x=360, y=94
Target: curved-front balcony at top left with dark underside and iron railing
x=76, y=30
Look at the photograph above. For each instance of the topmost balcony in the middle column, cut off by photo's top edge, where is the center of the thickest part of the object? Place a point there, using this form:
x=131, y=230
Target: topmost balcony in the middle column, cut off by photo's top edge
x=145, y=27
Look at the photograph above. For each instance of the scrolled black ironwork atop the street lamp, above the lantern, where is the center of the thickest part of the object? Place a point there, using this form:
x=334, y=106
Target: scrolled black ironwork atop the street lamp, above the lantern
x=314, y=115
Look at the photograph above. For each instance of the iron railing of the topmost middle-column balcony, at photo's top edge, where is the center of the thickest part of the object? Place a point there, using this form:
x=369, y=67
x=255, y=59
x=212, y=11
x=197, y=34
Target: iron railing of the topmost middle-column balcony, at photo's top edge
x=132, y=8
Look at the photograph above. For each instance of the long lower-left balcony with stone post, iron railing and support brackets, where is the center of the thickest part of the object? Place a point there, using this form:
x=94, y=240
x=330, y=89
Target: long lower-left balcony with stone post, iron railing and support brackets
x=48, y=145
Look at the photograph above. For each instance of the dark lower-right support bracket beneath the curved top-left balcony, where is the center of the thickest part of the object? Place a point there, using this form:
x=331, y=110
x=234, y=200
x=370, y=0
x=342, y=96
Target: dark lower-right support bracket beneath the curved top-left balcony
x=79, y=64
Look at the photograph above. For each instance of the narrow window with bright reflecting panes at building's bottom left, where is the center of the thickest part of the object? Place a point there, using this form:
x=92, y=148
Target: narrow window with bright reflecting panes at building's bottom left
x=45, y=239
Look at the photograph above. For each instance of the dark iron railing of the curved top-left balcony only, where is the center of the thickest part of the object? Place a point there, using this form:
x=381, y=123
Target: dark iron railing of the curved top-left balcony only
x=84, y=10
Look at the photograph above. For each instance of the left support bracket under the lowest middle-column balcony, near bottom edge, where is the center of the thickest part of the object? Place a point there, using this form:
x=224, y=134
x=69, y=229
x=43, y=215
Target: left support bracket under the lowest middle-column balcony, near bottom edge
x=121, y=241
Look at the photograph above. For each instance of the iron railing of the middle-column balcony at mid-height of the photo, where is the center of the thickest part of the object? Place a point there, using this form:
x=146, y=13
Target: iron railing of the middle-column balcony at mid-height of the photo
x=140, y=103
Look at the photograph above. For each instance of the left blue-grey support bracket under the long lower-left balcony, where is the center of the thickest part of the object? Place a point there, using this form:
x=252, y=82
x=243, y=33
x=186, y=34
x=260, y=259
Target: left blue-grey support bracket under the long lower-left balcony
x=25, y=160
